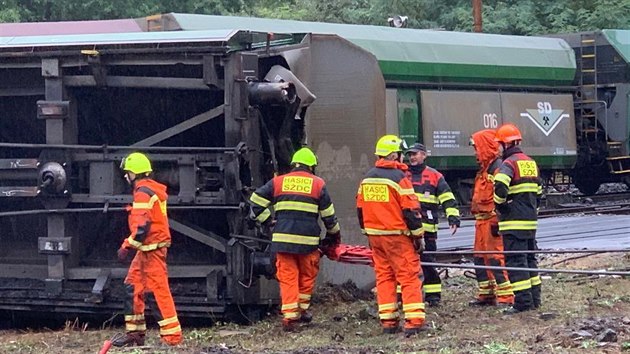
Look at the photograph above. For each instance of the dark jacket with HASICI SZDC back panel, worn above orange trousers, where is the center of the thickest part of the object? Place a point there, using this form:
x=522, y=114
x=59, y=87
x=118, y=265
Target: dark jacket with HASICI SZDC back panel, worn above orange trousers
x=298, y=199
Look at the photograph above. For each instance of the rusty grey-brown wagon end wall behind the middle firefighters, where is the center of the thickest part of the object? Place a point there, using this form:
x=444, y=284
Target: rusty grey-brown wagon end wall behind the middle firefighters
x=343, y=125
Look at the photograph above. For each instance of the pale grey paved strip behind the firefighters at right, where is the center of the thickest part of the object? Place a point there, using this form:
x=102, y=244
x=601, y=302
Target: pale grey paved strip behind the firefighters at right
x=592, y=231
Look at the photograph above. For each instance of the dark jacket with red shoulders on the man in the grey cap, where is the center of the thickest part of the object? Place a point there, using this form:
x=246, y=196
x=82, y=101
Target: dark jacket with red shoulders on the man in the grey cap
x=432, y=190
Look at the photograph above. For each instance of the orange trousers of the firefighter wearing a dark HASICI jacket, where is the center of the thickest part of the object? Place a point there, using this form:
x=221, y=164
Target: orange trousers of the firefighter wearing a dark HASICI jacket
x=296, y=274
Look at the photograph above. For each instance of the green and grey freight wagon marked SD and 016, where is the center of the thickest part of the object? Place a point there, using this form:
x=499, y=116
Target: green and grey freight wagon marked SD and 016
x=440, y=87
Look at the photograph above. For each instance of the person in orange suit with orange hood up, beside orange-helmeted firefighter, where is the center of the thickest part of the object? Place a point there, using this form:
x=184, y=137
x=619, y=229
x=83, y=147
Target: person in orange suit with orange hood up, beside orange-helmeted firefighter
x=494, y=285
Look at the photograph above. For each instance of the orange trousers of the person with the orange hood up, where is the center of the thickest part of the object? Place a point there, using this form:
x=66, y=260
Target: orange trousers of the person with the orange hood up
x=493, y=284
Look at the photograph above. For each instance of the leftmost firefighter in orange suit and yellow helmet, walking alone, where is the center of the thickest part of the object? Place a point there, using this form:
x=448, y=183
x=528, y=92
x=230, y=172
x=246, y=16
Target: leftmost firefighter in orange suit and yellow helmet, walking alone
x=150, y=238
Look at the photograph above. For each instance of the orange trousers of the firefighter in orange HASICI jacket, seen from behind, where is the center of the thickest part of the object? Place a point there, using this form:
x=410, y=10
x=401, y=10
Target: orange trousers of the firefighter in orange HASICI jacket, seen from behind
x=396, y=262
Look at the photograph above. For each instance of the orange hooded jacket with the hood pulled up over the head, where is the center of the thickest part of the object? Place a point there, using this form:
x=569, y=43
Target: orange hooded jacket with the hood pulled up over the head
x=487, y=153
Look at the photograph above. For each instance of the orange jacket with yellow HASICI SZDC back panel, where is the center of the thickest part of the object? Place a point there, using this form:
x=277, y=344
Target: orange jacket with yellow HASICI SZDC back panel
x=386, y=203
